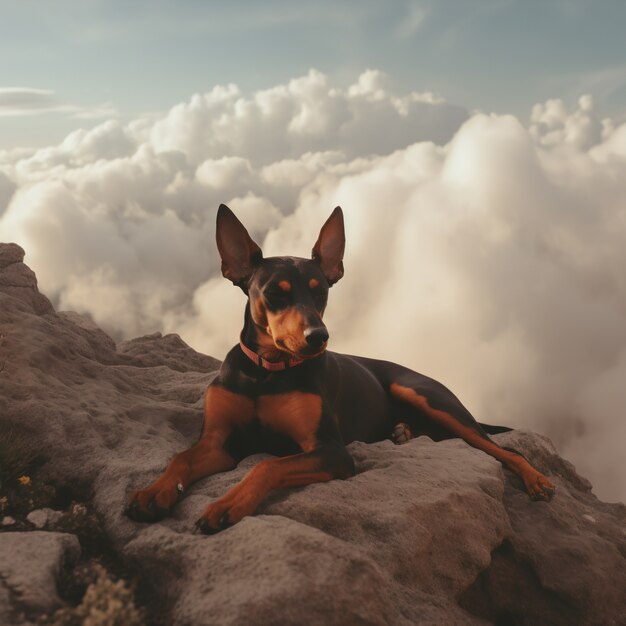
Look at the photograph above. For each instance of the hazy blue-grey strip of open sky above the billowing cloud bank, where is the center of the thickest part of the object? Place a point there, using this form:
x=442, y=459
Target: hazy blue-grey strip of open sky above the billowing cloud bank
x=95, y=59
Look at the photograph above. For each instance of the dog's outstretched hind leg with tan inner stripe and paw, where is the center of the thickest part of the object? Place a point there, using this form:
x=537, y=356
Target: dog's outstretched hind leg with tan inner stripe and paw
x=433, y=401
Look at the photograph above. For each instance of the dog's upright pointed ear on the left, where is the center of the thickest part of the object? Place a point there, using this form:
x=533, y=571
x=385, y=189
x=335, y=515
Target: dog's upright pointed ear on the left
x=240, y=254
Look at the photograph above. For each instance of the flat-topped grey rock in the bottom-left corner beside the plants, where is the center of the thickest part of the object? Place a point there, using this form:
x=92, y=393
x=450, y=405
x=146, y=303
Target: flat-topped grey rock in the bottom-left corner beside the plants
x=30, y=564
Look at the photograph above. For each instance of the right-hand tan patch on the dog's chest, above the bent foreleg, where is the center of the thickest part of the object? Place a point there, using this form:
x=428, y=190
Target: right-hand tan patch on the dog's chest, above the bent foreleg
x=295, y=414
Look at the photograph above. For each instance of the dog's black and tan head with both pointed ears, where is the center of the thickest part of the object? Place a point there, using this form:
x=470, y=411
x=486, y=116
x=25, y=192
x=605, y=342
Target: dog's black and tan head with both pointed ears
x=287, y=295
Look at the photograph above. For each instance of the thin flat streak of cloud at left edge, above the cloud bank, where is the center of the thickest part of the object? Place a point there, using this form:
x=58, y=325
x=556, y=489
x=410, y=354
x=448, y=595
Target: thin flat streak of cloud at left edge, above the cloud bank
x=22, y=101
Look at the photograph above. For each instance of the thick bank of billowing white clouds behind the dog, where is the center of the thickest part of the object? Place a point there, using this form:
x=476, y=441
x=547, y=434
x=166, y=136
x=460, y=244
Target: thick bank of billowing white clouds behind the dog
x=481, y=252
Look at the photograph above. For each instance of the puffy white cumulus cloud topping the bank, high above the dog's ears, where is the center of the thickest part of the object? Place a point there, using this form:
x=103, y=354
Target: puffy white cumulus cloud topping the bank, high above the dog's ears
x=304, y=115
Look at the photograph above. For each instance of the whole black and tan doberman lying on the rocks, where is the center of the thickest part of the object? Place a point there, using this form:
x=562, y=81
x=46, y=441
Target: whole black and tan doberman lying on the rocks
x=280, y=391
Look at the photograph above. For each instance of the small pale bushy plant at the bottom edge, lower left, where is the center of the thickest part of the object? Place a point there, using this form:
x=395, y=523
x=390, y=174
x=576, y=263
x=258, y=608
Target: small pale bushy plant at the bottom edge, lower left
x=105, y=603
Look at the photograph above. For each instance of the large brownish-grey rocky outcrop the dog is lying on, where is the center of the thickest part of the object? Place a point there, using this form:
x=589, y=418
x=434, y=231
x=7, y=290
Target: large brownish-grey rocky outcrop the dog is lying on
x=425, y=533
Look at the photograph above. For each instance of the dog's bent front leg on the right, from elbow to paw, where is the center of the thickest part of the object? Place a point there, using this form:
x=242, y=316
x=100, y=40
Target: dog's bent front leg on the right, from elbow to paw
x=328, y=461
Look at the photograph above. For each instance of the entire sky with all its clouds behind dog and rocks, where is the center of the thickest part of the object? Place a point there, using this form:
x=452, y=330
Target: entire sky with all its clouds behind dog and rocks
x=478, y=150
